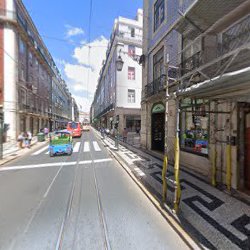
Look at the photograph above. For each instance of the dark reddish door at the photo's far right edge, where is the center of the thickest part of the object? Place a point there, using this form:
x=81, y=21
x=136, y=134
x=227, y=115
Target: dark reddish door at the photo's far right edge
x=247, y=152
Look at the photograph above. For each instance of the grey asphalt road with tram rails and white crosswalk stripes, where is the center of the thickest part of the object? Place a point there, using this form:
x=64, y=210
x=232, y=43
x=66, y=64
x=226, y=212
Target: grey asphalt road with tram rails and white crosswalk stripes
x=82, y=201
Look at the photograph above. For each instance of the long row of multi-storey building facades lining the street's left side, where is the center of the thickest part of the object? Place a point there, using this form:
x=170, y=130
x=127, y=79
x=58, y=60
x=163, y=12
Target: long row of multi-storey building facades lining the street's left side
x=27, y=73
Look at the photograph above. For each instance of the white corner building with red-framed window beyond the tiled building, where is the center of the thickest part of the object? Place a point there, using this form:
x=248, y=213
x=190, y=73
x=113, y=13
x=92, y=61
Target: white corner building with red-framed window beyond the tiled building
x=118, y=94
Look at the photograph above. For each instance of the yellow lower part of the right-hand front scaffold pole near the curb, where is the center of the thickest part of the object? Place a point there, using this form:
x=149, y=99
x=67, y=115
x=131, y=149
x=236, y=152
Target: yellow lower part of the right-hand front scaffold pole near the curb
x=177, y=176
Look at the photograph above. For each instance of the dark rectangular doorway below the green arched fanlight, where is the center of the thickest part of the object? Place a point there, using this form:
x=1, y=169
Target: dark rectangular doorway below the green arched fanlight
x=158, y=131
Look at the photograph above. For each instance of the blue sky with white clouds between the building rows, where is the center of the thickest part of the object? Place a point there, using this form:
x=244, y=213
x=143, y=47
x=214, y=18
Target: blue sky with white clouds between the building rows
x=64, y=27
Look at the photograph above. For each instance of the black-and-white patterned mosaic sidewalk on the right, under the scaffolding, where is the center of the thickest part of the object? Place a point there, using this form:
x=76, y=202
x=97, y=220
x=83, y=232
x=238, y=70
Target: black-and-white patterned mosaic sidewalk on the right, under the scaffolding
x=215, y=219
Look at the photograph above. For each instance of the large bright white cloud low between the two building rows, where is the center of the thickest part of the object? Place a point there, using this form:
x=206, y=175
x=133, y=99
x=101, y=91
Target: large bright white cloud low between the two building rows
x=83, y=75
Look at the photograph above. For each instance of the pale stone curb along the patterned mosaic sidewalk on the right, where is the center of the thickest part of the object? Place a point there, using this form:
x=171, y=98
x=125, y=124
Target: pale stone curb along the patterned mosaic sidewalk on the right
x=190, y=242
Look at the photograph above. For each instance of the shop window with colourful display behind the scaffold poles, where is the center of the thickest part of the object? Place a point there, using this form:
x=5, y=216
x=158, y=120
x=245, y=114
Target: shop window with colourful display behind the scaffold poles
x=194, y=126
